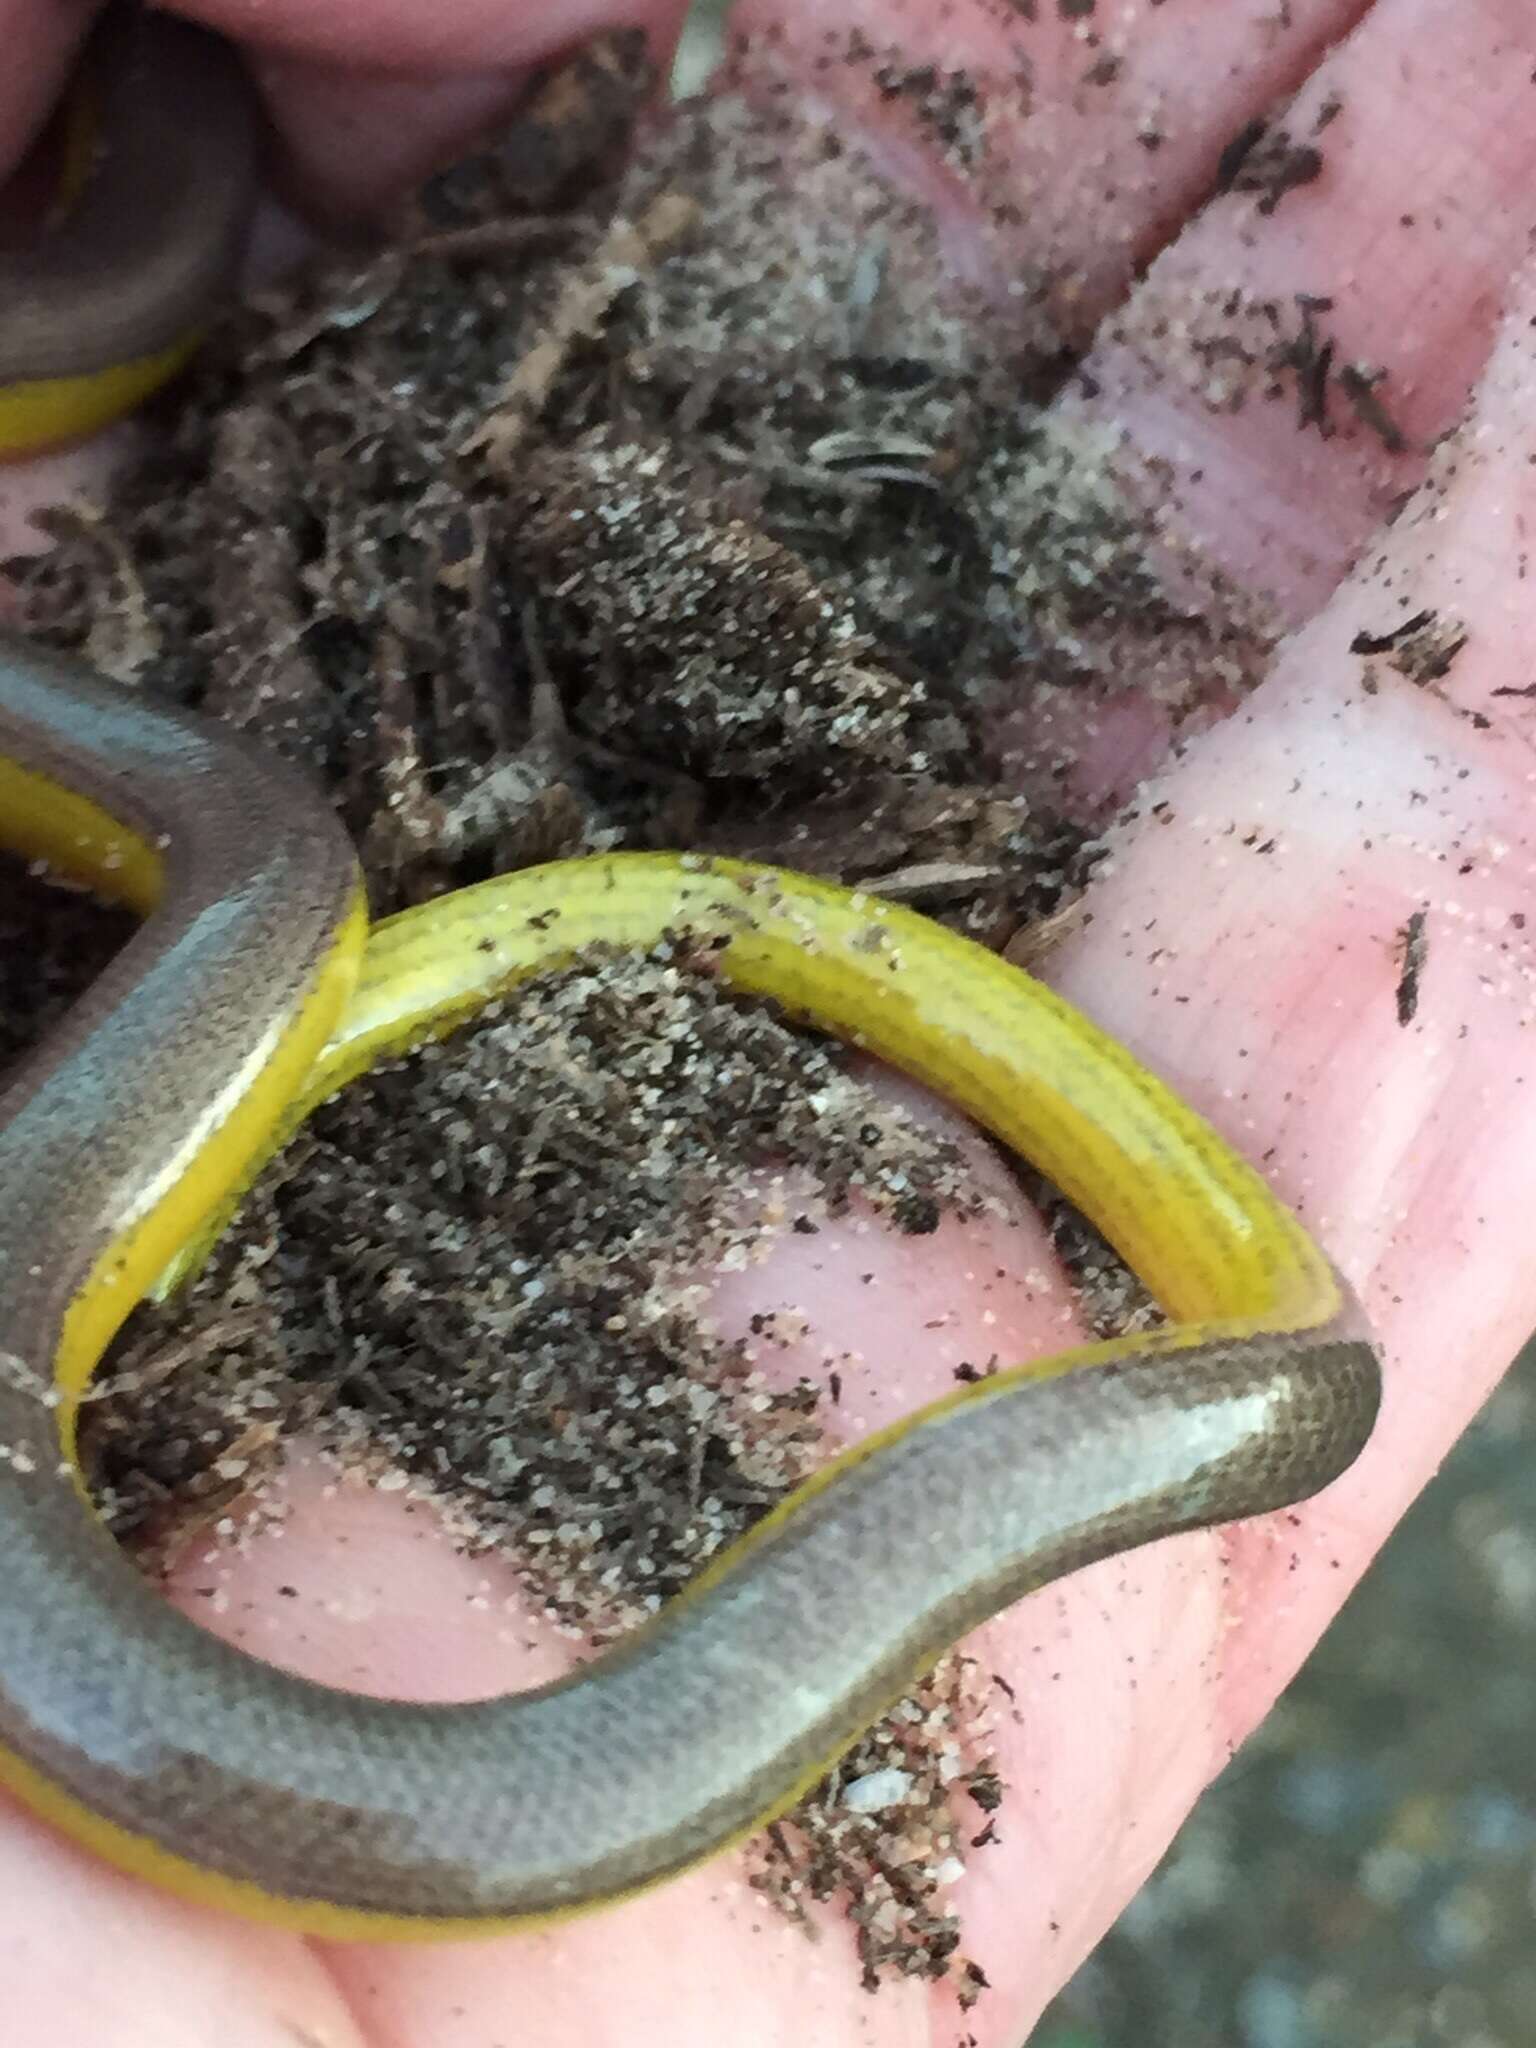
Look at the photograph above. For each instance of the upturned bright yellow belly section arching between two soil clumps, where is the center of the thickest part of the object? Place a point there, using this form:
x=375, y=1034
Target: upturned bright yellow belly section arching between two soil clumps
x=1193, y=1220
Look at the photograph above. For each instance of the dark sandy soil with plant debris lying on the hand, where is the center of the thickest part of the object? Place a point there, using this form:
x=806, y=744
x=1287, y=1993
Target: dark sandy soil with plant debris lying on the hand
x=648, y=488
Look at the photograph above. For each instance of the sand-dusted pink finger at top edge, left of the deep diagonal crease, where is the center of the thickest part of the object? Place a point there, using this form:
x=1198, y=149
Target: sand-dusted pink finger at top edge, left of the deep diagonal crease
x=1070, y=140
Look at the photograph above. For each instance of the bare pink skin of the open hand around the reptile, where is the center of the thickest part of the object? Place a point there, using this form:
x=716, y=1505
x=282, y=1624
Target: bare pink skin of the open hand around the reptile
x=1265, y=994
